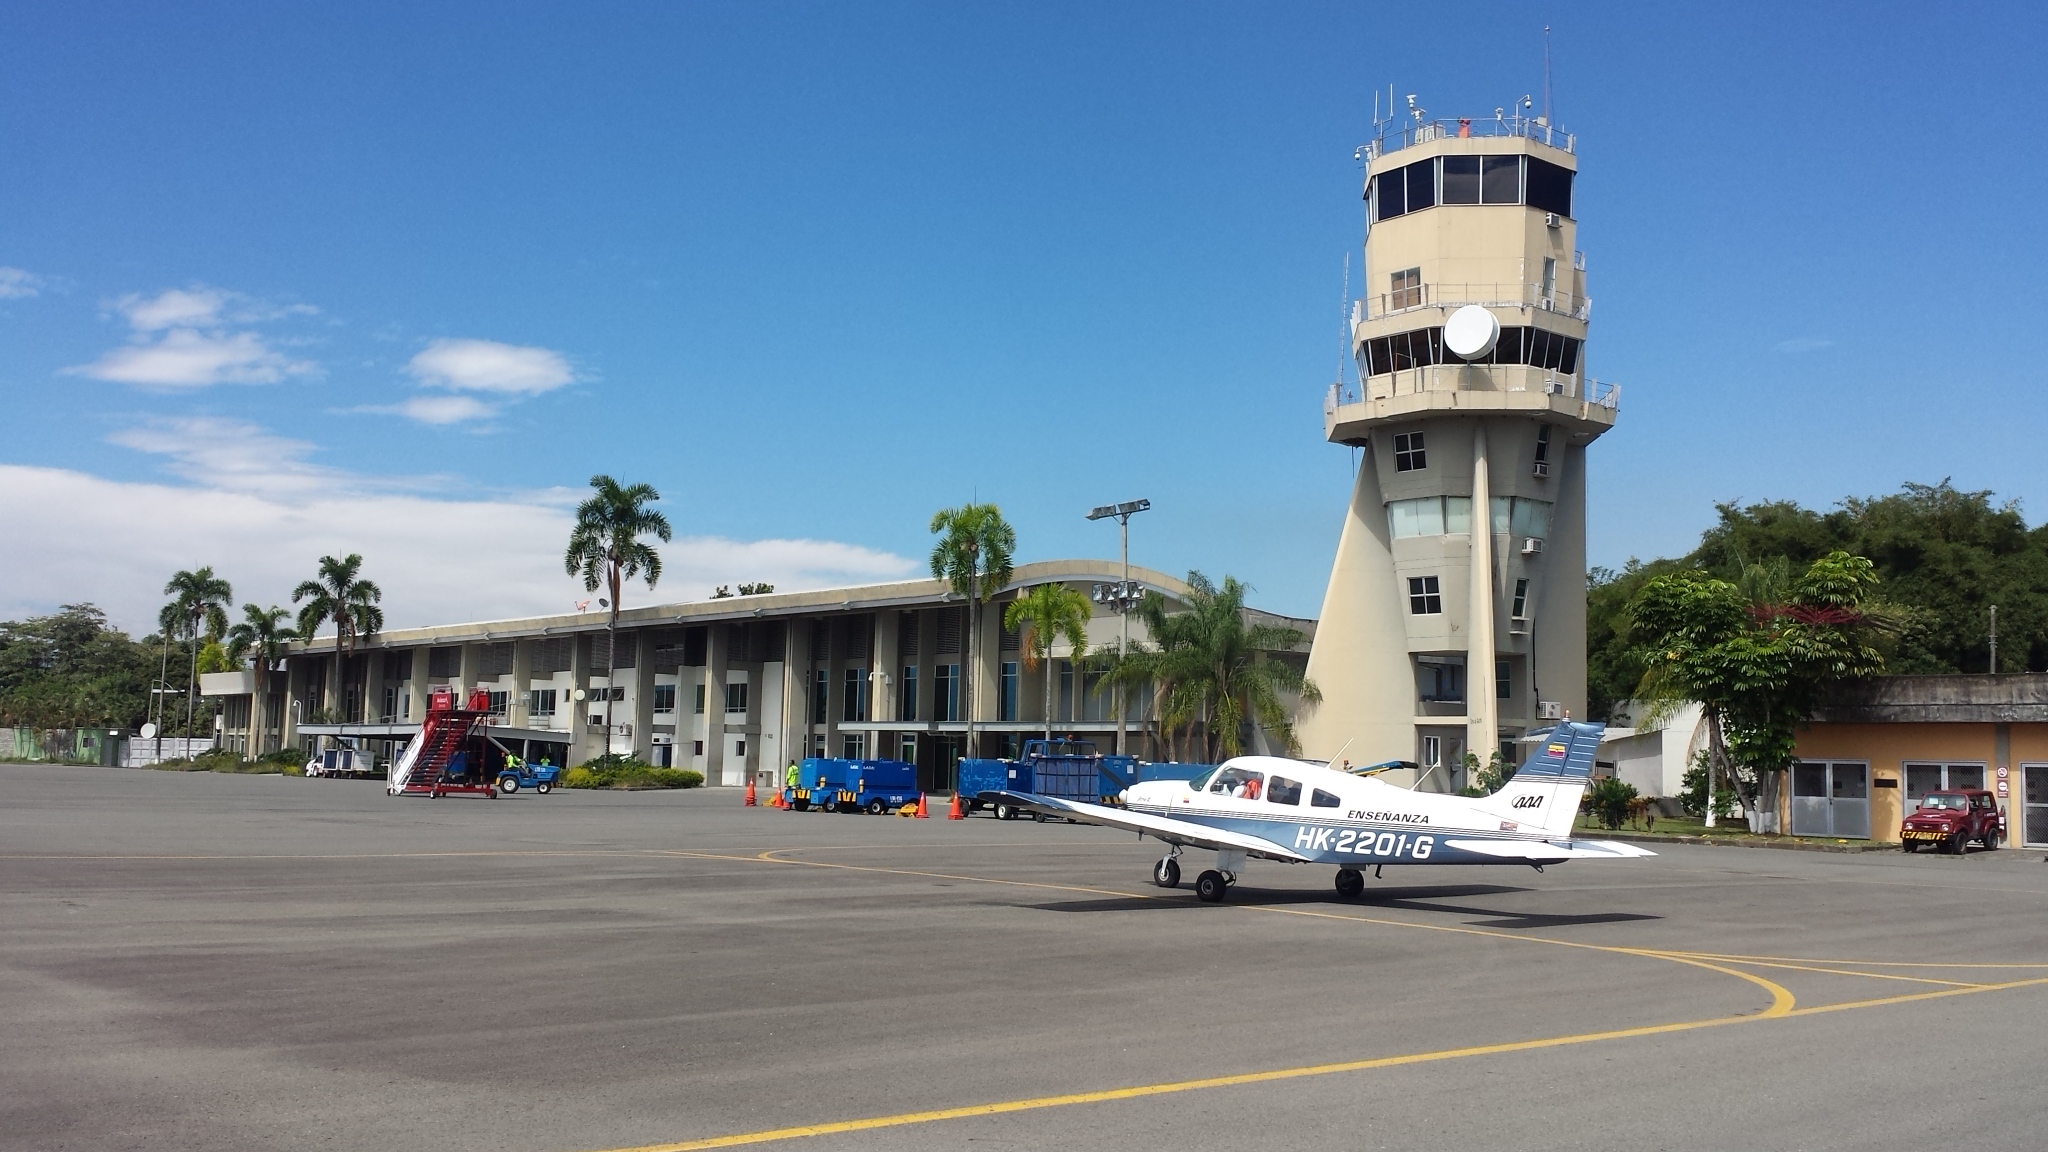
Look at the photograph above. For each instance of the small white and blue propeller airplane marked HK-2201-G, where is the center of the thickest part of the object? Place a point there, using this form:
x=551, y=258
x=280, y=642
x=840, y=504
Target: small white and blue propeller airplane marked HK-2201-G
x=1310, y=813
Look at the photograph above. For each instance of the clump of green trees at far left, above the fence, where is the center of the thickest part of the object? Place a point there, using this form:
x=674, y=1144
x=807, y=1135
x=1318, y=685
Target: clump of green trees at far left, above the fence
x=73, y=669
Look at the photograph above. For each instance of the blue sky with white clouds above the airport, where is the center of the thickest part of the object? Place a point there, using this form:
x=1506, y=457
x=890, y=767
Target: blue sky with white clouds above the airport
x=398, y=280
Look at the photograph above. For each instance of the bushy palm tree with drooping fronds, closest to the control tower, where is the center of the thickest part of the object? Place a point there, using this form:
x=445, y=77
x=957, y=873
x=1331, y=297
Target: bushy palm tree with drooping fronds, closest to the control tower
x=1207, y=667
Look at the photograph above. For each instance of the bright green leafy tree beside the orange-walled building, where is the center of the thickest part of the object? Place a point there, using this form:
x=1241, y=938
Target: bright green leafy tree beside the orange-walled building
x=1756, y=655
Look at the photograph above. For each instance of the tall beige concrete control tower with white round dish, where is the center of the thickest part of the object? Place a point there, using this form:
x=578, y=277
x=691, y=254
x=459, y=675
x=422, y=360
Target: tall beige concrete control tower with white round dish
x=1455, y=616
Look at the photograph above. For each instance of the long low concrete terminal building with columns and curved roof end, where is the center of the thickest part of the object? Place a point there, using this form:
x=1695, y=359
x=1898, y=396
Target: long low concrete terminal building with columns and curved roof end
x=734, y=686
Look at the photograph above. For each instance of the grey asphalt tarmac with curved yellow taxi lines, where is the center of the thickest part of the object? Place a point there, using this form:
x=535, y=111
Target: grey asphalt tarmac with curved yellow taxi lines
x=212, y=962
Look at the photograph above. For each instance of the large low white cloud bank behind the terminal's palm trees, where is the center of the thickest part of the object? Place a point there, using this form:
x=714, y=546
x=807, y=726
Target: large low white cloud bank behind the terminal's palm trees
x=257, y=511
